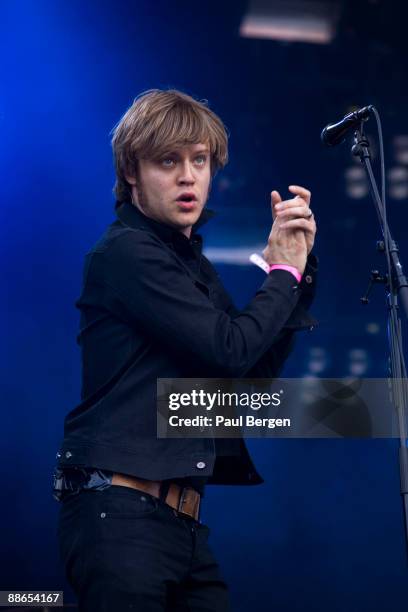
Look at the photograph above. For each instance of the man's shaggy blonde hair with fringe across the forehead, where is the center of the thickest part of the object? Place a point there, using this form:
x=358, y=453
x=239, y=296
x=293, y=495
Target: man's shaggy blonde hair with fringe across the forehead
x=159, y=121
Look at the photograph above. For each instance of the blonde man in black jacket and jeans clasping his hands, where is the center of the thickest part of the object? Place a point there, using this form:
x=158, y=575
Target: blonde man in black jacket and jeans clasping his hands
x=153, y=306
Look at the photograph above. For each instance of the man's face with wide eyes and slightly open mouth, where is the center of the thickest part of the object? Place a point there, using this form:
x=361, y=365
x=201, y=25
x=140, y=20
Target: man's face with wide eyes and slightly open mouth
x=174, y=188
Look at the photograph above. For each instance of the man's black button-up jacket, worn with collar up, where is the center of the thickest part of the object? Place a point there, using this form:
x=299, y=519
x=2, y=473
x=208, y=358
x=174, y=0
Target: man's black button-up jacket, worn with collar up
x=152, y=306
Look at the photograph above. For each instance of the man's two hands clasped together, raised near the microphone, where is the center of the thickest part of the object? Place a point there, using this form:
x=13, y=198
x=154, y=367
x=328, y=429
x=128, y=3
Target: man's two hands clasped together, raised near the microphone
x=293, y=230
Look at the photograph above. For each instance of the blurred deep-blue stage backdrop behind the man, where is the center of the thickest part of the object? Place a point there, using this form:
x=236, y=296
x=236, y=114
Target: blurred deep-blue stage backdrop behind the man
x=325, y=532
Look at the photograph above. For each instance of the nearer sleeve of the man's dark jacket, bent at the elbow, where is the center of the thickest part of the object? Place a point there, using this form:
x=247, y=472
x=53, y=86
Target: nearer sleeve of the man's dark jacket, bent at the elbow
x=142, y=280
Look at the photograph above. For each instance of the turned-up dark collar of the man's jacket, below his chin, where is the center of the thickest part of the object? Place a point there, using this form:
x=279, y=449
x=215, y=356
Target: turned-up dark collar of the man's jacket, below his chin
x=130, y=215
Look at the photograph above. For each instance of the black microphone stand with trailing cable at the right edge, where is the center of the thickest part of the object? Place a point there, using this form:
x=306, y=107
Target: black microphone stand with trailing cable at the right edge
x=396, y=287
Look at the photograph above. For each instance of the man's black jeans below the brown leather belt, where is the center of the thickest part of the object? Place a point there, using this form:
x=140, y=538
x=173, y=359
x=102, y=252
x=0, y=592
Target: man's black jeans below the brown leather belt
x=126, y=550
